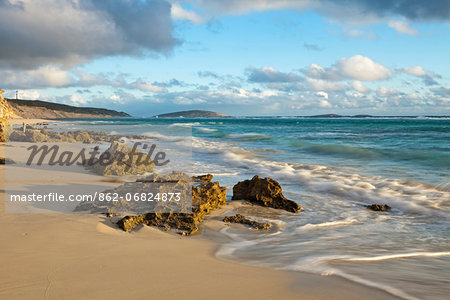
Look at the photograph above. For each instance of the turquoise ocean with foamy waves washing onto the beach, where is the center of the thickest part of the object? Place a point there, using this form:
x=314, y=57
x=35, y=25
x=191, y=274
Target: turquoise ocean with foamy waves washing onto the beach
x=332, y=167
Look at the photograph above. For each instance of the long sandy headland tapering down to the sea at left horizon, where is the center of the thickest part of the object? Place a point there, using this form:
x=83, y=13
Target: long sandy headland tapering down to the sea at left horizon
x=31, y=109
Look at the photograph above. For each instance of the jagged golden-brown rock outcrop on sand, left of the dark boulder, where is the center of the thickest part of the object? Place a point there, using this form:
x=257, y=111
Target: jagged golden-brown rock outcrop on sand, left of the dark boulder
x=206, y=196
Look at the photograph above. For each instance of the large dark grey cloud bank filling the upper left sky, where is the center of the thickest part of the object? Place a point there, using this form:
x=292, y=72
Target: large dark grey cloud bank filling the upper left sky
x=67, y=33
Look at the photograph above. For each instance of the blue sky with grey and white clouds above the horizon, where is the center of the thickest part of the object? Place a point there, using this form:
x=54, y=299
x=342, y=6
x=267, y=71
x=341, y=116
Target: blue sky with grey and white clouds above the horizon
x=239, y=57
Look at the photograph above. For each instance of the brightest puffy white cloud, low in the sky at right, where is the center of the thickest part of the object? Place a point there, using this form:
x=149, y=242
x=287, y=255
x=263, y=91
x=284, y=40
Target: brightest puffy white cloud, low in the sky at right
x=362, y=68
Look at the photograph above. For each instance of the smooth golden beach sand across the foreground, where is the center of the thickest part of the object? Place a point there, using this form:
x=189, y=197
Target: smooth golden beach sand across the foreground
x=74, y=256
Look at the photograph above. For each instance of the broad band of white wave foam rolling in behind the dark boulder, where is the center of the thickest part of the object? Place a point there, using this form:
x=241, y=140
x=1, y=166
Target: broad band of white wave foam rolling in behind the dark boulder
x=403, y=195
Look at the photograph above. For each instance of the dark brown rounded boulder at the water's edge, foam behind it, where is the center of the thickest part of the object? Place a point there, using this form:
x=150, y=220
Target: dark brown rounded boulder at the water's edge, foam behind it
x=266, y=192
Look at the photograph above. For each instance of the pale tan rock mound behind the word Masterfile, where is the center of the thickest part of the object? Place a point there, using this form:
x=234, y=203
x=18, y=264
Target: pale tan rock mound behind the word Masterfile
x=121, y=160
